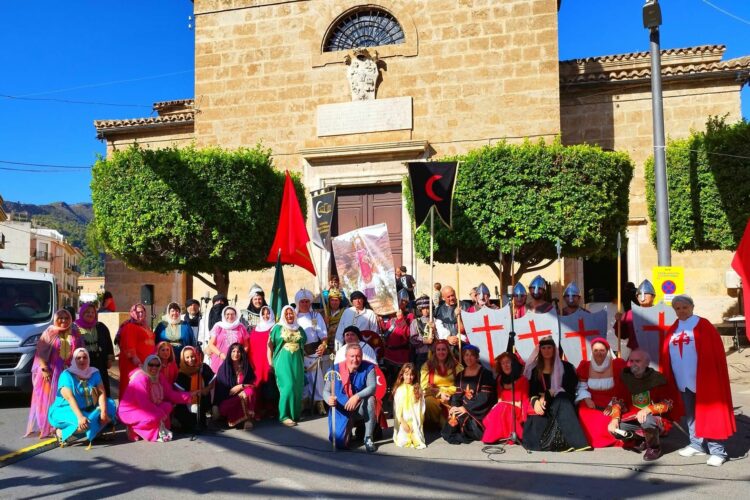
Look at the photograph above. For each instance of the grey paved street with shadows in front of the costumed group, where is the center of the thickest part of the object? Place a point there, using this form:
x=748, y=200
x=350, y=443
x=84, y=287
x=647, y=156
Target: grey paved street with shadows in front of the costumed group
x=274, y=461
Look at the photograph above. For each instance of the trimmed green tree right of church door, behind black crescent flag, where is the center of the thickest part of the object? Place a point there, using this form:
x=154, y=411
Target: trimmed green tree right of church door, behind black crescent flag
x=527, y=196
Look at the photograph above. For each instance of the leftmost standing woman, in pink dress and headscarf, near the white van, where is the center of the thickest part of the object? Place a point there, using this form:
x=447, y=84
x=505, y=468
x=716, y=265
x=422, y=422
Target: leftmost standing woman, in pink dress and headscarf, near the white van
x=54, y=354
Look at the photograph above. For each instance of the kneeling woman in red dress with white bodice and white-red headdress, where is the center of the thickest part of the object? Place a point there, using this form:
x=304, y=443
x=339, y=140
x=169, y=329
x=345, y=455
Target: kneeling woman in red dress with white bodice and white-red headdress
x=598, y=383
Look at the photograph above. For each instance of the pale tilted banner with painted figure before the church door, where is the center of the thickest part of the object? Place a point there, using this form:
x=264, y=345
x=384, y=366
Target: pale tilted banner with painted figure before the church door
x=364, y=262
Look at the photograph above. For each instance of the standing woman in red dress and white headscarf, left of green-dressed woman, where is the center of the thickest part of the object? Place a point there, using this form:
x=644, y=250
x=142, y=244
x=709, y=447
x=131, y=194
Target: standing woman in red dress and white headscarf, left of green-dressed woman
x=267, y=394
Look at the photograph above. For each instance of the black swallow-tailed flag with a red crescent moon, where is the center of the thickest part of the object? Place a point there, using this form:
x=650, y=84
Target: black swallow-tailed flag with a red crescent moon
x=432, y=184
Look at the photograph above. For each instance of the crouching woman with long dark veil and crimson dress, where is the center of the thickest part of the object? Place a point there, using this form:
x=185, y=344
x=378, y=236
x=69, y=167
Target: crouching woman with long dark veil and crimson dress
x=235, y=389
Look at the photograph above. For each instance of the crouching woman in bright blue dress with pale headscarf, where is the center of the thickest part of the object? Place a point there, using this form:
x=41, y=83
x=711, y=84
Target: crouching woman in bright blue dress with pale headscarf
x=82, y=407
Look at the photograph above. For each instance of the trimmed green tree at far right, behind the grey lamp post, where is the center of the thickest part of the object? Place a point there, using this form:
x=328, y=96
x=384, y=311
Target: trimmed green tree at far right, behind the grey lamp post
x=708, y=182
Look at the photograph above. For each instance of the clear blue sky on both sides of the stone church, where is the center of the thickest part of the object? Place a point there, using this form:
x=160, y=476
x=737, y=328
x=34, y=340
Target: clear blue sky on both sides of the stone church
x=135, y=52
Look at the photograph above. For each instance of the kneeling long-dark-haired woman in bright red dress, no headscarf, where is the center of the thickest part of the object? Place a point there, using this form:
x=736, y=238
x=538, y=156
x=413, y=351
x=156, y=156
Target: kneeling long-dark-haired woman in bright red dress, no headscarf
x=499, y=421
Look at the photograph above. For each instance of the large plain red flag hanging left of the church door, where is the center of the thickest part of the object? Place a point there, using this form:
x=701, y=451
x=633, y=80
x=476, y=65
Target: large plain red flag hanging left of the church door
x=291, y=234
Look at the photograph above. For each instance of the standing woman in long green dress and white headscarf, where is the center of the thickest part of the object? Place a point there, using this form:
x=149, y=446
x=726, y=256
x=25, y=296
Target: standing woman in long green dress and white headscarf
x=285, y=357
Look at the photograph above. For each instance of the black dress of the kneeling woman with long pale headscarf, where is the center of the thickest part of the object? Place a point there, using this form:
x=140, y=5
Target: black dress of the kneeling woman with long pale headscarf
x=558, y=429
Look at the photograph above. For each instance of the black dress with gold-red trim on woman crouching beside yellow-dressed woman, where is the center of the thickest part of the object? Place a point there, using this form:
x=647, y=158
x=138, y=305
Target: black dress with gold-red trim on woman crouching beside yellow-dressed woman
x=478, y=395
